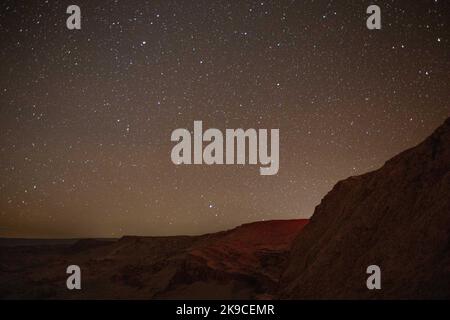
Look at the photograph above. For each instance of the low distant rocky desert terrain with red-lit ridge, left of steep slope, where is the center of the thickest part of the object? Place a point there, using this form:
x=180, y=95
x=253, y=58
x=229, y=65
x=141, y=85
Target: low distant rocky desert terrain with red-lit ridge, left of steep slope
x=242, y=263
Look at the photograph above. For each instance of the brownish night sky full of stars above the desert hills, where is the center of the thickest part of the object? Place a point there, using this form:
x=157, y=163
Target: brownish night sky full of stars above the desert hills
x=86, y=115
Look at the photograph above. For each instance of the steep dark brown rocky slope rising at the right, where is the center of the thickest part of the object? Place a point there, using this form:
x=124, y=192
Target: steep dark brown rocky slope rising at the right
x=397, y=217
